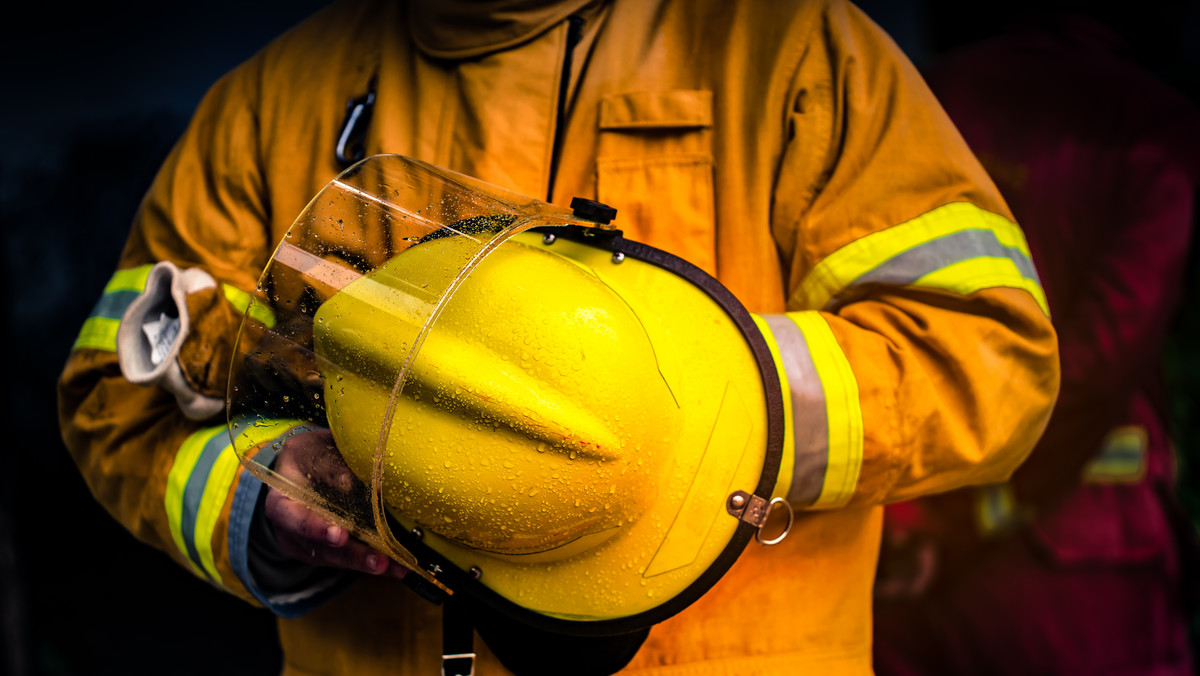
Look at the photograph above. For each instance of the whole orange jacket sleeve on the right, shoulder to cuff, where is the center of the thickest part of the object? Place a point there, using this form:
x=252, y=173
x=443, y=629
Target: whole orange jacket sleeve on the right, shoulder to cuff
x=917, y=348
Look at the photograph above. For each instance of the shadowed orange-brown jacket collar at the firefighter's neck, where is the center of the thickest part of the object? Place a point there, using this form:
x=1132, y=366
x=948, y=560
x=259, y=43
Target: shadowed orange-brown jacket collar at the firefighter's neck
x=463, y=29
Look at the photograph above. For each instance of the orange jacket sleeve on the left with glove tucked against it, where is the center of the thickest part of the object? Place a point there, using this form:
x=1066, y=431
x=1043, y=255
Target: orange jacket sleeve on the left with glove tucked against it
x=176, y=483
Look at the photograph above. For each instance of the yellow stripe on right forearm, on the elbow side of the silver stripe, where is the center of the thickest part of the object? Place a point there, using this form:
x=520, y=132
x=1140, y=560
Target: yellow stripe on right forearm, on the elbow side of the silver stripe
x=843, y=410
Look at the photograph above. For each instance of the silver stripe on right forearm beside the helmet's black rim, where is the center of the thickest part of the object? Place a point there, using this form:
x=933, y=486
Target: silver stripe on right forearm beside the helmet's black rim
x=811, y=423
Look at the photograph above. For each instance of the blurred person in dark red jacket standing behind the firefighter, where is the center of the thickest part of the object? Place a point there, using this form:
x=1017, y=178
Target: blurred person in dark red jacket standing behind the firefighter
x=1072, y=567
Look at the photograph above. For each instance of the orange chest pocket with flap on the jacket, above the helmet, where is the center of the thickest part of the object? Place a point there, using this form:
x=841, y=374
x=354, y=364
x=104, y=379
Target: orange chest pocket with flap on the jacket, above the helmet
x=656, y=166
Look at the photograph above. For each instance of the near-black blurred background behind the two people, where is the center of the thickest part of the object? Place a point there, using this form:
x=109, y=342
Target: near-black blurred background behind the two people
x=95, y=95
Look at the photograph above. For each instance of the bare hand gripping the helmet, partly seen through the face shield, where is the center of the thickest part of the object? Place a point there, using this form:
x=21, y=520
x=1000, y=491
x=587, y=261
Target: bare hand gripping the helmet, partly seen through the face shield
x=310, y=459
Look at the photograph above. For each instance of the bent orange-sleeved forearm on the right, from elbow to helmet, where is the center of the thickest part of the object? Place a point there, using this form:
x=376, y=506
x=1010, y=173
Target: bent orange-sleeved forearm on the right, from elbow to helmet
x=913, y=393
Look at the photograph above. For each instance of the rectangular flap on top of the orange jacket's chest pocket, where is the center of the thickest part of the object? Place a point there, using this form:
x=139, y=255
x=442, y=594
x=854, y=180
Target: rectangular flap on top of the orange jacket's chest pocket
x=657, y=110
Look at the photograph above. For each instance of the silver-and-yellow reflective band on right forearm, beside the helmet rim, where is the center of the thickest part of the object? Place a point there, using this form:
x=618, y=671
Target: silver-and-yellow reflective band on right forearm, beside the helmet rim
x=826, y=415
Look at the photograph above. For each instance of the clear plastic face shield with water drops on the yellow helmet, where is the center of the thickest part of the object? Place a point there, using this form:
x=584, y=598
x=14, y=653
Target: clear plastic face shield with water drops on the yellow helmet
x=303, y=364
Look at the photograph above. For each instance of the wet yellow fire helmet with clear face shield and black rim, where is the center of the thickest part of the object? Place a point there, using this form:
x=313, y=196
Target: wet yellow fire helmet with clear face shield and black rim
x=572, y=429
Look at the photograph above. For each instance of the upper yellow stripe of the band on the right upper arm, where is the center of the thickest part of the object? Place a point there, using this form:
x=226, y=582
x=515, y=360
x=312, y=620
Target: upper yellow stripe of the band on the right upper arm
x=843, y=268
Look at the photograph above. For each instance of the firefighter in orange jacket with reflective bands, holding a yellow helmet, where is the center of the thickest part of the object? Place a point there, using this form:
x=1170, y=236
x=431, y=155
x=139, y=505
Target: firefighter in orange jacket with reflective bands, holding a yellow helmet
x=790, y=153
